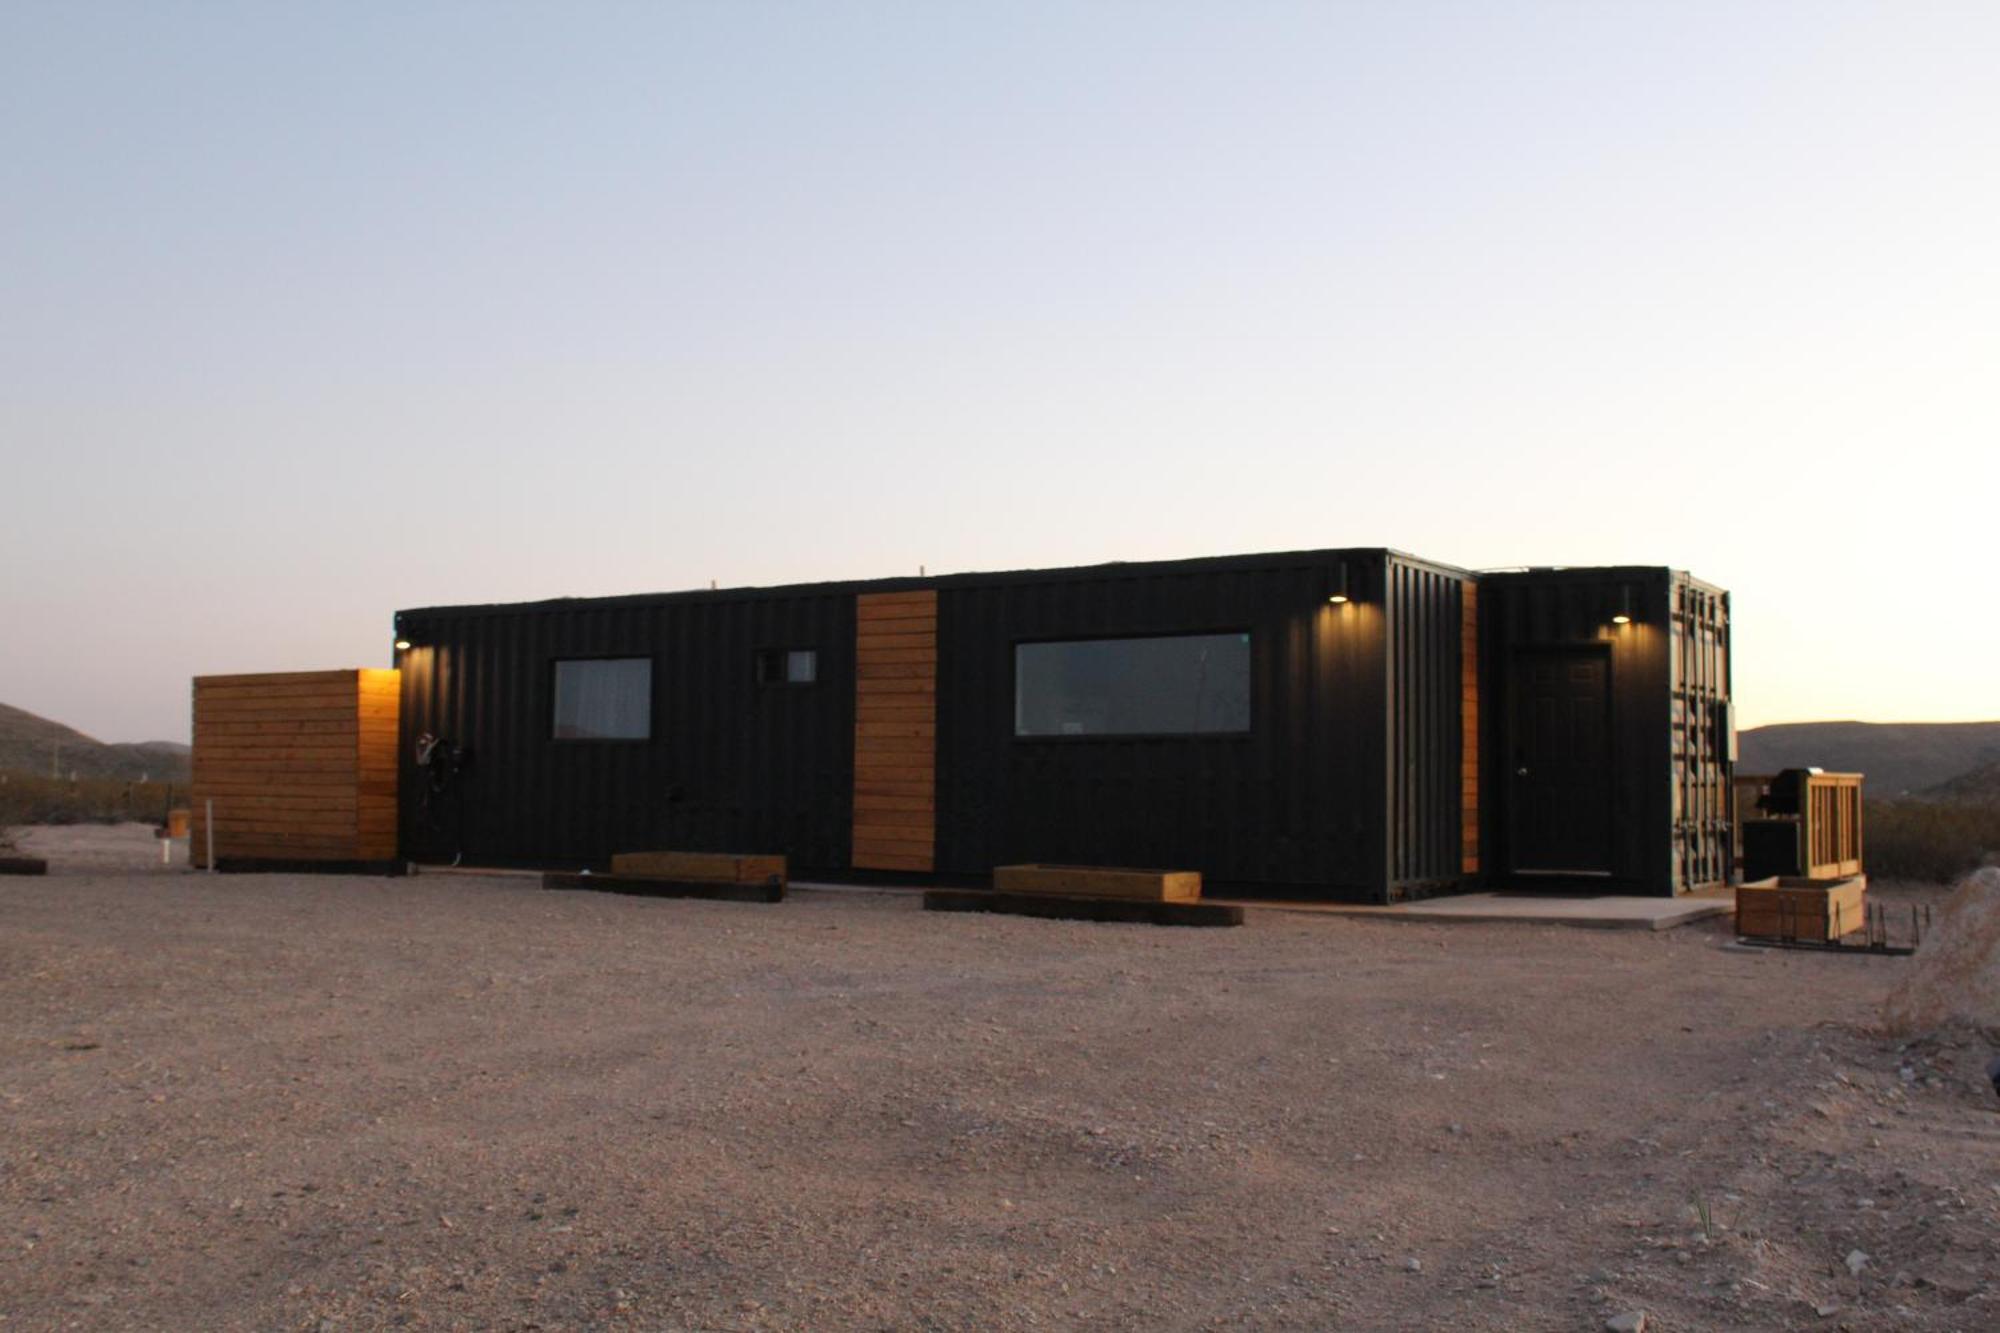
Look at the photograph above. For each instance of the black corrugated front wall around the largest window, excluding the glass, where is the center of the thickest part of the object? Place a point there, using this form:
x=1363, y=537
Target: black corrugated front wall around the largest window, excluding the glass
x=1295, y=804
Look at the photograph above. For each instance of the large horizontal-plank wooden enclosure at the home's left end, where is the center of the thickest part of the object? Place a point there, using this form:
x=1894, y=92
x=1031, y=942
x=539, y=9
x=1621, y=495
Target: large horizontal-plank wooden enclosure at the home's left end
x=301, y=770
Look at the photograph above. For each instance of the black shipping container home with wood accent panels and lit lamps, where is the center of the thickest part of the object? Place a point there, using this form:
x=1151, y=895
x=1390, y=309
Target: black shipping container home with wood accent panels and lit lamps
x=1307, y=724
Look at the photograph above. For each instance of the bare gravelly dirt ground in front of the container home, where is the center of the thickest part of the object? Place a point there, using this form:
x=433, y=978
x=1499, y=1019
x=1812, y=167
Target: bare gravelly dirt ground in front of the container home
x=465, y=1104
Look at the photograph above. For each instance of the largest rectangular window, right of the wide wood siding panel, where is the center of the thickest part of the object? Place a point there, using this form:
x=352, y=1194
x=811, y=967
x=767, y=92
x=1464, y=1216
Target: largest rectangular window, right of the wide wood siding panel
x=1133, y=688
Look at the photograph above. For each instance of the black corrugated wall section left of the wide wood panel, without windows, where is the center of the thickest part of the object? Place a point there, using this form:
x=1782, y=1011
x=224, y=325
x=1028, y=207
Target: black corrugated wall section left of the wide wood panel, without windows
x=731, y=766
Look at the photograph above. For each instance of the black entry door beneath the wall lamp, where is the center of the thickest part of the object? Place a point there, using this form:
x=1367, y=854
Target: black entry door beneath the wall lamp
x=1563, y=764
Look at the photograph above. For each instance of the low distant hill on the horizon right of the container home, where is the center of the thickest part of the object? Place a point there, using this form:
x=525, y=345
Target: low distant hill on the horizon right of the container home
x=1899, y=758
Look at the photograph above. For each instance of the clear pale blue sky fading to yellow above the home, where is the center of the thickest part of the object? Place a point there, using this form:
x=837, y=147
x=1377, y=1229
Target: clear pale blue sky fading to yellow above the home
x=309, y=313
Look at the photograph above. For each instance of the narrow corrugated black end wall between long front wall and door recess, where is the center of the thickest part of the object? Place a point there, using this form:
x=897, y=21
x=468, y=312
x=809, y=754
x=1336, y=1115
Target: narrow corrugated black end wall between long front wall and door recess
x=1427, y=754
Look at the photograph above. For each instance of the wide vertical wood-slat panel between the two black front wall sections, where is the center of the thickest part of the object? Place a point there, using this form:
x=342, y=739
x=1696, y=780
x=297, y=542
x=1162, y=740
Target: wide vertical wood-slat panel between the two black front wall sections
x=895, y=732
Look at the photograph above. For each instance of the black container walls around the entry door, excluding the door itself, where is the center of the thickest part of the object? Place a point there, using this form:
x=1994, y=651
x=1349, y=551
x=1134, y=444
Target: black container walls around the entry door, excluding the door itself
x=1665, y=838
